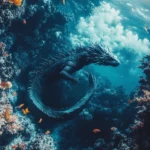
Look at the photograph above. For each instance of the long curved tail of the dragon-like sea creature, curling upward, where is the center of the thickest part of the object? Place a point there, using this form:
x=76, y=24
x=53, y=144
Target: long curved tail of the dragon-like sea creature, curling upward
x=62, y=113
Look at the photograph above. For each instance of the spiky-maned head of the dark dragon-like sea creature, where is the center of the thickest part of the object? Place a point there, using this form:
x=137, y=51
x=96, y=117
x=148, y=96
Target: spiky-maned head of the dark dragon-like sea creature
x=97, y=54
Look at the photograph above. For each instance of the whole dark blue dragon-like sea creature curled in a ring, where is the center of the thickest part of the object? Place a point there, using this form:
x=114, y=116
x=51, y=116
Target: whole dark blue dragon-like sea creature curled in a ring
x=62, y=67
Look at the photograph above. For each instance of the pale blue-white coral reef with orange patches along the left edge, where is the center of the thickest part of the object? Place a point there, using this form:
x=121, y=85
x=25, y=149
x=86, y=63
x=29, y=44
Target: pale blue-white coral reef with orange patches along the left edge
x=17, y=131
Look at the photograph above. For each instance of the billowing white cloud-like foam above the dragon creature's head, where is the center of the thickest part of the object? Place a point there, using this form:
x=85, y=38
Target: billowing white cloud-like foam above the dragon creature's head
x=105, y=25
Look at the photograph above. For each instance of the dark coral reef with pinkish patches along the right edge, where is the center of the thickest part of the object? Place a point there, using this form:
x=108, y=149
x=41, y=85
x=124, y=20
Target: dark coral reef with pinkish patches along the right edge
x=136, y=137
